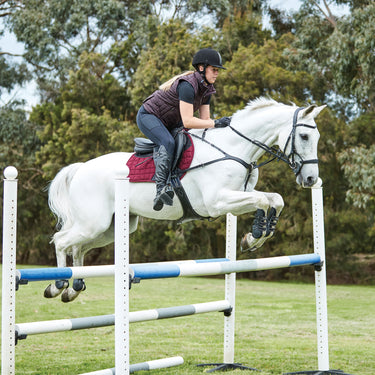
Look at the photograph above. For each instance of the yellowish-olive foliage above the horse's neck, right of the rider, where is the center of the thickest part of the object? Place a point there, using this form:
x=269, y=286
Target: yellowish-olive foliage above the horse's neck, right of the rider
x=260, y=71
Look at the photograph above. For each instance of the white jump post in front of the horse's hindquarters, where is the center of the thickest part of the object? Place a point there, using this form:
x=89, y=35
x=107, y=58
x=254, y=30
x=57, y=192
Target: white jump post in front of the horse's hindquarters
x=122, y=363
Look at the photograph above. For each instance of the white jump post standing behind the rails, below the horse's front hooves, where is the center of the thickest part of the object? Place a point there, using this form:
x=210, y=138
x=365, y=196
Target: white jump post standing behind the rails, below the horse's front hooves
x=230, y=289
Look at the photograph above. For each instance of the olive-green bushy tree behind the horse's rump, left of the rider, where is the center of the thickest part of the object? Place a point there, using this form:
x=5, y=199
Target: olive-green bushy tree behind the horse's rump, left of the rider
x=79, y=125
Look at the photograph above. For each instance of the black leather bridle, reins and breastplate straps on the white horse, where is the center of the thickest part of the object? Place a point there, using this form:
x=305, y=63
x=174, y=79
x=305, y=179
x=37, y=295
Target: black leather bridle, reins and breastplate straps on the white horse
x=290, y=159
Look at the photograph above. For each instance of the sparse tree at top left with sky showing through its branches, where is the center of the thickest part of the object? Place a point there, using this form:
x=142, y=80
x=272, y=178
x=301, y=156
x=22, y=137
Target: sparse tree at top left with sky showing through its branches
x=56, y=33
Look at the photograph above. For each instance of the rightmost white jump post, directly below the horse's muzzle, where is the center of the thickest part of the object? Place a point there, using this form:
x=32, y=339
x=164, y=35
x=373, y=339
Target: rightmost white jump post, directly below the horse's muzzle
x=320, y=277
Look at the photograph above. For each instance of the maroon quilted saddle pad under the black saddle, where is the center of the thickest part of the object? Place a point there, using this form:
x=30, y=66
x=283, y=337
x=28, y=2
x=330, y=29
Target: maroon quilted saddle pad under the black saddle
x=142, y=168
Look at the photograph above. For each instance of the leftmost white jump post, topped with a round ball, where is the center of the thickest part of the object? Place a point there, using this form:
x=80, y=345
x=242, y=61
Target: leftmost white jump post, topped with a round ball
x=9, y=272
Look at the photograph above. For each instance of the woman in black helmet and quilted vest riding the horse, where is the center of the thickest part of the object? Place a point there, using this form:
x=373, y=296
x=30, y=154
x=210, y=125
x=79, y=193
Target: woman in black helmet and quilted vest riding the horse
x=173, y=106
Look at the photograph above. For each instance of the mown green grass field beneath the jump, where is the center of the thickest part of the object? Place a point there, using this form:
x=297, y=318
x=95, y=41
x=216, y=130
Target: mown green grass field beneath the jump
x=275, y=328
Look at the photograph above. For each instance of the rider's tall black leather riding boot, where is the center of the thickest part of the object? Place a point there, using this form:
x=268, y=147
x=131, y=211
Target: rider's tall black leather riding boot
x=164, y=192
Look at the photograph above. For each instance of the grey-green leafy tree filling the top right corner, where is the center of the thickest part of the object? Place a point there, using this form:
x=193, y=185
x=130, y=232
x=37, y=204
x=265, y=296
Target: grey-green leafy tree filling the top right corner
x=340, y=51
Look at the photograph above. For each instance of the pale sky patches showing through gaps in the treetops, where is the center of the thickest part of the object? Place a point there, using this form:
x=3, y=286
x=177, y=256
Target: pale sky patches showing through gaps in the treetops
x=29, y=92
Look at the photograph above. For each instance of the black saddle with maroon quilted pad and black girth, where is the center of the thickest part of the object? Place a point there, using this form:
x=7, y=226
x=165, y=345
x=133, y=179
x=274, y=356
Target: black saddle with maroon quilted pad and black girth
x=142, y=167
